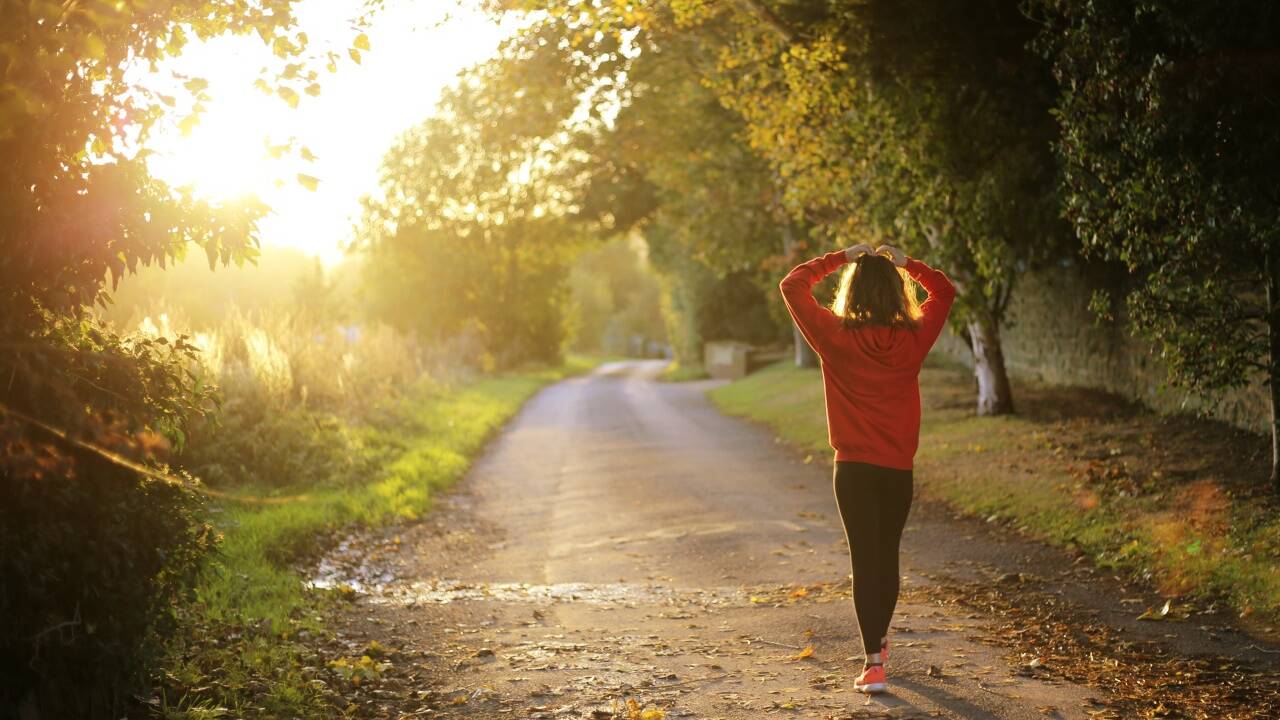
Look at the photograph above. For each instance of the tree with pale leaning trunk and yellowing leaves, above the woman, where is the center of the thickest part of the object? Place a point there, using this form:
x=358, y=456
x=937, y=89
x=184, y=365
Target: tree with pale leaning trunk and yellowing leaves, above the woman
x=924, y=124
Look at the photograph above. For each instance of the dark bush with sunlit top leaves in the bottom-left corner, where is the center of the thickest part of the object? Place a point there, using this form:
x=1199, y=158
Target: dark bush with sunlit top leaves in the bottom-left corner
x=94, y=552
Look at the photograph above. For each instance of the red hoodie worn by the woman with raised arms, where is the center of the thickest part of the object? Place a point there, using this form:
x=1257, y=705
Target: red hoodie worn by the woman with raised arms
x=871, y=373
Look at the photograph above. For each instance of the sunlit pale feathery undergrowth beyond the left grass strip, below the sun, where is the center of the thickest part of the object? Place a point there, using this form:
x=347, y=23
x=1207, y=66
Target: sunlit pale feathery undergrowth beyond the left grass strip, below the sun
x=292, y=389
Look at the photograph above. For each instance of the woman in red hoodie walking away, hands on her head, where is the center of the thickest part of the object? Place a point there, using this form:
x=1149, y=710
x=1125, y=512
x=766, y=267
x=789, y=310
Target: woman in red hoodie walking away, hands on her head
x=872, y=347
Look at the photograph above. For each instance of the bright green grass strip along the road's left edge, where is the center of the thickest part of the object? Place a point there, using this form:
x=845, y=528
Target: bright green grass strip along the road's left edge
x=253, y=594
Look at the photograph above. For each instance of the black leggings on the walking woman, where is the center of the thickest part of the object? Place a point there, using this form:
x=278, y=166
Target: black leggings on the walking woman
x=874, y=504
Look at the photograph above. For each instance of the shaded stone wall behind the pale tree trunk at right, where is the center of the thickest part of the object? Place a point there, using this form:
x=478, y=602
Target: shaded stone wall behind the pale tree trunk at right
x=1052, y=336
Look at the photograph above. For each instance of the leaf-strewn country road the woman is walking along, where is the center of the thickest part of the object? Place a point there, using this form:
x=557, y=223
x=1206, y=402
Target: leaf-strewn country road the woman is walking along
x=624, y=540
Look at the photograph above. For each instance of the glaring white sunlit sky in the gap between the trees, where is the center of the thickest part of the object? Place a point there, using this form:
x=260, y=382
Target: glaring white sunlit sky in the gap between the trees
x=417, y=49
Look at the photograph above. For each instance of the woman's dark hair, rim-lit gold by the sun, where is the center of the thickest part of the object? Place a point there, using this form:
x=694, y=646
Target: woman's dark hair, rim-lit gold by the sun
x=874, y=291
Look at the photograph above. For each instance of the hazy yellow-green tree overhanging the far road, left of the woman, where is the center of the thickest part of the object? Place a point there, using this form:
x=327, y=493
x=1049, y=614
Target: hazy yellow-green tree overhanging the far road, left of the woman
x=675, y=165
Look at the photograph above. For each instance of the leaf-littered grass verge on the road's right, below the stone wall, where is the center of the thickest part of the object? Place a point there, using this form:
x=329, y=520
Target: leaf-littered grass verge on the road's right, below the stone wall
x=1177, y=502
